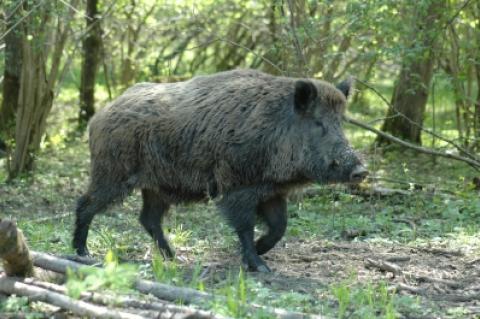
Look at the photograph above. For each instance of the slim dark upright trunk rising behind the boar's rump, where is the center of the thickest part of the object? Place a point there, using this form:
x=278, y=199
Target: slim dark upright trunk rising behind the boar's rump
x=91, y=55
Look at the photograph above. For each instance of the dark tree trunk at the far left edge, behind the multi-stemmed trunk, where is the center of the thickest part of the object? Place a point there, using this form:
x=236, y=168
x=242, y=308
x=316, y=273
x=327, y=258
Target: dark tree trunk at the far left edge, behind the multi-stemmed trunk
x=13, y=66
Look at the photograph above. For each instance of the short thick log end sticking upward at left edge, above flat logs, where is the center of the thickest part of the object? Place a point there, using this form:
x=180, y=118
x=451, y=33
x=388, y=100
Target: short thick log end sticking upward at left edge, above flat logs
x=14, y=250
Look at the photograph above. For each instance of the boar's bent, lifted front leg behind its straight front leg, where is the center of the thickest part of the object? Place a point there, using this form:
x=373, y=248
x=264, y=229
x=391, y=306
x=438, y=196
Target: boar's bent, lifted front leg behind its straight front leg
x=274, y=213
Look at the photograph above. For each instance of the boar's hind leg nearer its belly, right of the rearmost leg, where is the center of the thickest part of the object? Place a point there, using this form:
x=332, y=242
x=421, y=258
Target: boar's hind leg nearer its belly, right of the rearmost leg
x=151, y=219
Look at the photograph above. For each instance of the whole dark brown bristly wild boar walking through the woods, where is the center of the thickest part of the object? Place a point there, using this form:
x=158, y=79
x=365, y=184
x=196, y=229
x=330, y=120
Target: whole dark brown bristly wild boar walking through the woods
x=242, y=137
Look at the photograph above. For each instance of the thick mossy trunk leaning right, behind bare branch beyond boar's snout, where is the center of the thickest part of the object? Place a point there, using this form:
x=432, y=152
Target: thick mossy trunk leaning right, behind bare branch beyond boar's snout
x=405, y=116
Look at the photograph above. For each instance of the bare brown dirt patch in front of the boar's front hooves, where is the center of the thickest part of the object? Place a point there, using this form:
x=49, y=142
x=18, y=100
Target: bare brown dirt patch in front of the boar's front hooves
x=442, y=278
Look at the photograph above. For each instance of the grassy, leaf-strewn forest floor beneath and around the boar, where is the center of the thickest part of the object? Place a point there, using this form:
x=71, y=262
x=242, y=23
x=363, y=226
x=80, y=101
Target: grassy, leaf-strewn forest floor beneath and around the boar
x=331, y=261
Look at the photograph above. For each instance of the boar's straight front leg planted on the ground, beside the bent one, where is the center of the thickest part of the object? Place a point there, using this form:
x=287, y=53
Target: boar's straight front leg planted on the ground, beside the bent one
x=240, y=209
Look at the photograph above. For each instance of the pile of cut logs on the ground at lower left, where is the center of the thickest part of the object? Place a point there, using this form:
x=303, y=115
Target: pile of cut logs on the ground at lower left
x=155, y=300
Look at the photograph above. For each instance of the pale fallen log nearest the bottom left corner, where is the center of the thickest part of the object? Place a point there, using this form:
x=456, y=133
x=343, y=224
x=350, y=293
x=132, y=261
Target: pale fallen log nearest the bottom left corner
x=13, y=285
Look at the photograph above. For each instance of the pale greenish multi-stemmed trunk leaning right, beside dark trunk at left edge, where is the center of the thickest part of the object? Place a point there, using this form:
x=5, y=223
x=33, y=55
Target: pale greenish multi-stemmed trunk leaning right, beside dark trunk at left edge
x=36, y=85
